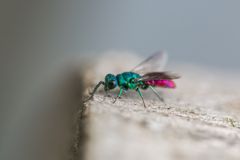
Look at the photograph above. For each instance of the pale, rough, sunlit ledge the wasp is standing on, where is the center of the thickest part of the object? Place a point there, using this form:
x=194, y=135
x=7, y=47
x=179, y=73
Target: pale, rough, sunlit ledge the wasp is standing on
x=200, y=120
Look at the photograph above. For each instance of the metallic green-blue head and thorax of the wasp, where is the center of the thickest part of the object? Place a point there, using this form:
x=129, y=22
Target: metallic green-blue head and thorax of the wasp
x=124, y=81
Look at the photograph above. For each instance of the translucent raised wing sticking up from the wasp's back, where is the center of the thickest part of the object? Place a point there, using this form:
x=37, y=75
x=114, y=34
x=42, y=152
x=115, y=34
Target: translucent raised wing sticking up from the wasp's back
x=154, y=63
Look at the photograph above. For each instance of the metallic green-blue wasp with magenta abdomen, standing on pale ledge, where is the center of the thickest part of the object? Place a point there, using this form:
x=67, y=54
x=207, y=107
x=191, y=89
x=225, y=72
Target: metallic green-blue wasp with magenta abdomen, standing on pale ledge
x=146, y=75
